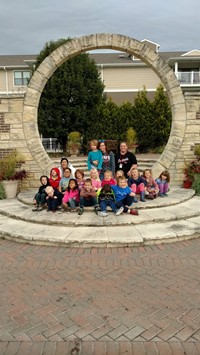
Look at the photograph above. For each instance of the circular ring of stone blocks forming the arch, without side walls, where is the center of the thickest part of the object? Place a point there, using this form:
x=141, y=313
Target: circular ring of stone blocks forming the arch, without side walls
x=103, y=41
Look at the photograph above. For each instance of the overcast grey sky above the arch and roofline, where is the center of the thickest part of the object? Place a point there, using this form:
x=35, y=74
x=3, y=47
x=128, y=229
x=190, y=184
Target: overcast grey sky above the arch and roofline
x=26, y=25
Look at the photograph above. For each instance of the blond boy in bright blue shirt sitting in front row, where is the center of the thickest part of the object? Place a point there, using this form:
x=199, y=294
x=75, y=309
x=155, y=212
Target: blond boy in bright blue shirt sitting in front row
x=124, y=196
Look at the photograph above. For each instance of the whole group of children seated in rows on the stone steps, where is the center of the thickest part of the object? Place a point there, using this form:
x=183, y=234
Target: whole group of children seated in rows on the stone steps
x=118, y=192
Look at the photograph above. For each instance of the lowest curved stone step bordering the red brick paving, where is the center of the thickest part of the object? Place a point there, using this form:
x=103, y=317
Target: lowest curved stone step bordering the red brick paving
x=105, y=236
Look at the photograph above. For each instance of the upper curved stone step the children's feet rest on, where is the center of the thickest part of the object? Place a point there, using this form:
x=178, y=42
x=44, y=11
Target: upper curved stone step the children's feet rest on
x=170, y=208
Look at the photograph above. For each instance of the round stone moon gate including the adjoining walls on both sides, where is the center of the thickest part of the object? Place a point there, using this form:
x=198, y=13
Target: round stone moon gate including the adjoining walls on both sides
x=24, y=135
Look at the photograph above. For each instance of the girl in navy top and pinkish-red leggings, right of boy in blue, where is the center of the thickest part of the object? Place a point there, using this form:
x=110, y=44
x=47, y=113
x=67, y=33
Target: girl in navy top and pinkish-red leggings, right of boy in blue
x=137, y=184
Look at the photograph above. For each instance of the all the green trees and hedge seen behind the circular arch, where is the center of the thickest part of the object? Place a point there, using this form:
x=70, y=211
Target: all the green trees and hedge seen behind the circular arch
x=73, y=100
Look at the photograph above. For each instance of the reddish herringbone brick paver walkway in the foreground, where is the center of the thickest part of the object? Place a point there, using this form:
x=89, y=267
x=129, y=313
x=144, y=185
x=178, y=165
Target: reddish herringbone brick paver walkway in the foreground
x=142, y=300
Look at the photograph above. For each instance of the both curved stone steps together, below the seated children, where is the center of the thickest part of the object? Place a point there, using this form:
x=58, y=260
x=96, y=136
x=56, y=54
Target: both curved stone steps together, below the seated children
x=161, y=220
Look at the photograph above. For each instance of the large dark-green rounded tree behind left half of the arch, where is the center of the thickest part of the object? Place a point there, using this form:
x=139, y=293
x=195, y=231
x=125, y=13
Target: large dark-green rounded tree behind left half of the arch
x=70, y=97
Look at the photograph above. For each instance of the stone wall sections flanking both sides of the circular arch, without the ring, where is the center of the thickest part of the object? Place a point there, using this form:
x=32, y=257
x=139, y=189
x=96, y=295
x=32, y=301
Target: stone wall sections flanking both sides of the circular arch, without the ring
x=12, y=136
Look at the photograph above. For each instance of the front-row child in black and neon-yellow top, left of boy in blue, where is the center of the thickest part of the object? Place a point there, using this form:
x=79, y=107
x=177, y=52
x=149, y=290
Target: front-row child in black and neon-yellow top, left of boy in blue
x=106, y=197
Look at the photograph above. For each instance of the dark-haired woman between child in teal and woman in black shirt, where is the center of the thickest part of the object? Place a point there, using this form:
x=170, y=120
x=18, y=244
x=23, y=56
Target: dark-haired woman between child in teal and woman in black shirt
x=108, y=160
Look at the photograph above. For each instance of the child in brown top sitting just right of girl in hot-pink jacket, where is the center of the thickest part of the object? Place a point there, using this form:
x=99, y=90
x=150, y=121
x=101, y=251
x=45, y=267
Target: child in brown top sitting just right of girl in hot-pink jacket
x=88, y=197
